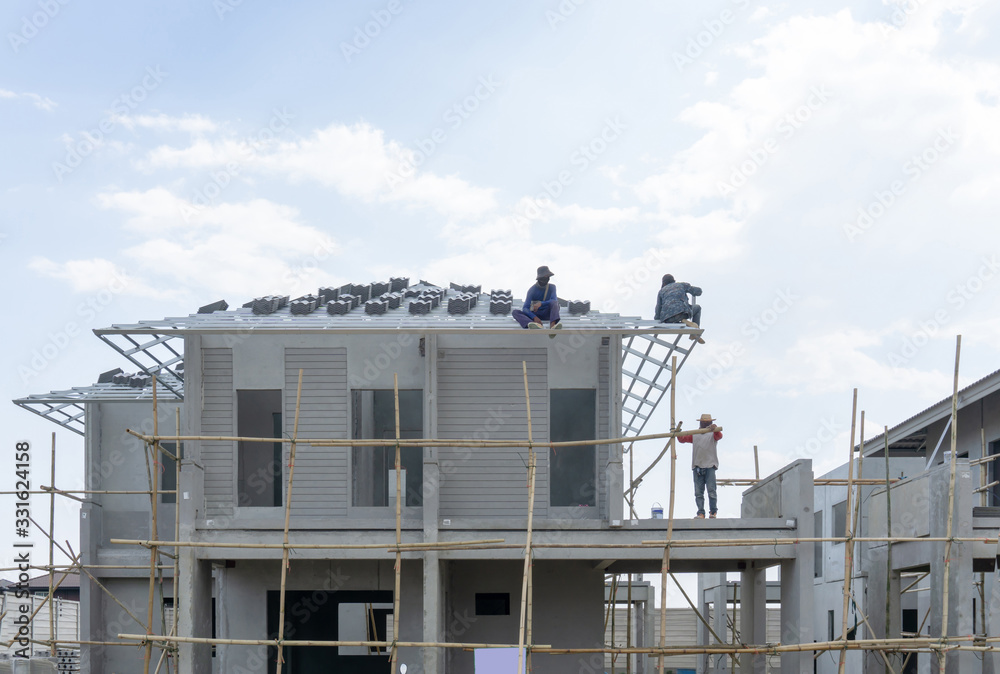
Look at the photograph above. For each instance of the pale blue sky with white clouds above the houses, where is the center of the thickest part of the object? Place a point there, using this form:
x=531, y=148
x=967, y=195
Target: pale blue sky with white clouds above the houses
x=827, y=173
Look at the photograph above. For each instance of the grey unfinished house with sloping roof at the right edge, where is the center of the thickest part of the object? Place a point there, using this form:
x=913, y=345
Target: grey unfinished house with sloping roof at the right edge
x=918, y=449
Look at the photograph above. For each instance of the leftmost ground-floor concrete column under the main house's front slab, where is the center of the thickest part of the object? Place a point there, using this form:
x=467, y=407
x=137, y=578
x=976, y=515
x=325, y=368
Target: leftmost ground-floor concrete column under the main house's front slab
x=194, y=612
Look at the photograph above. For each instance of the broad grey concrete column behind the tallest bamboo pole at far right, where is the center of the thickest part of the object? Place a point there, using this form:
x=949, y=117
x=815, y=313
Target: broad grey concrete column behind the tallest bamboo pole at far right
x=960, y=576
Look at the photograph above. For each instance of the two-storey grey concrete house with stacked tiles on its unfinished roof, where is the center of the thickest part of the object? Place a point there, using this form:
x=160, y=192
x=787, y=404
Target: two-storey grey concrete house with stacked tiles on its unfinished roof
x=458, y=357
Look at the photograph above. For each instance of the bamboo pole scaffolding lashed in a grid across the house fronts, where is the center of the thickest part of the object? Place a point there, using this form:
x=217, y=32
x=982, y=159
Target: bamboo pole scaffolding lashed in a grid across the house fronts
x=941, y=645
